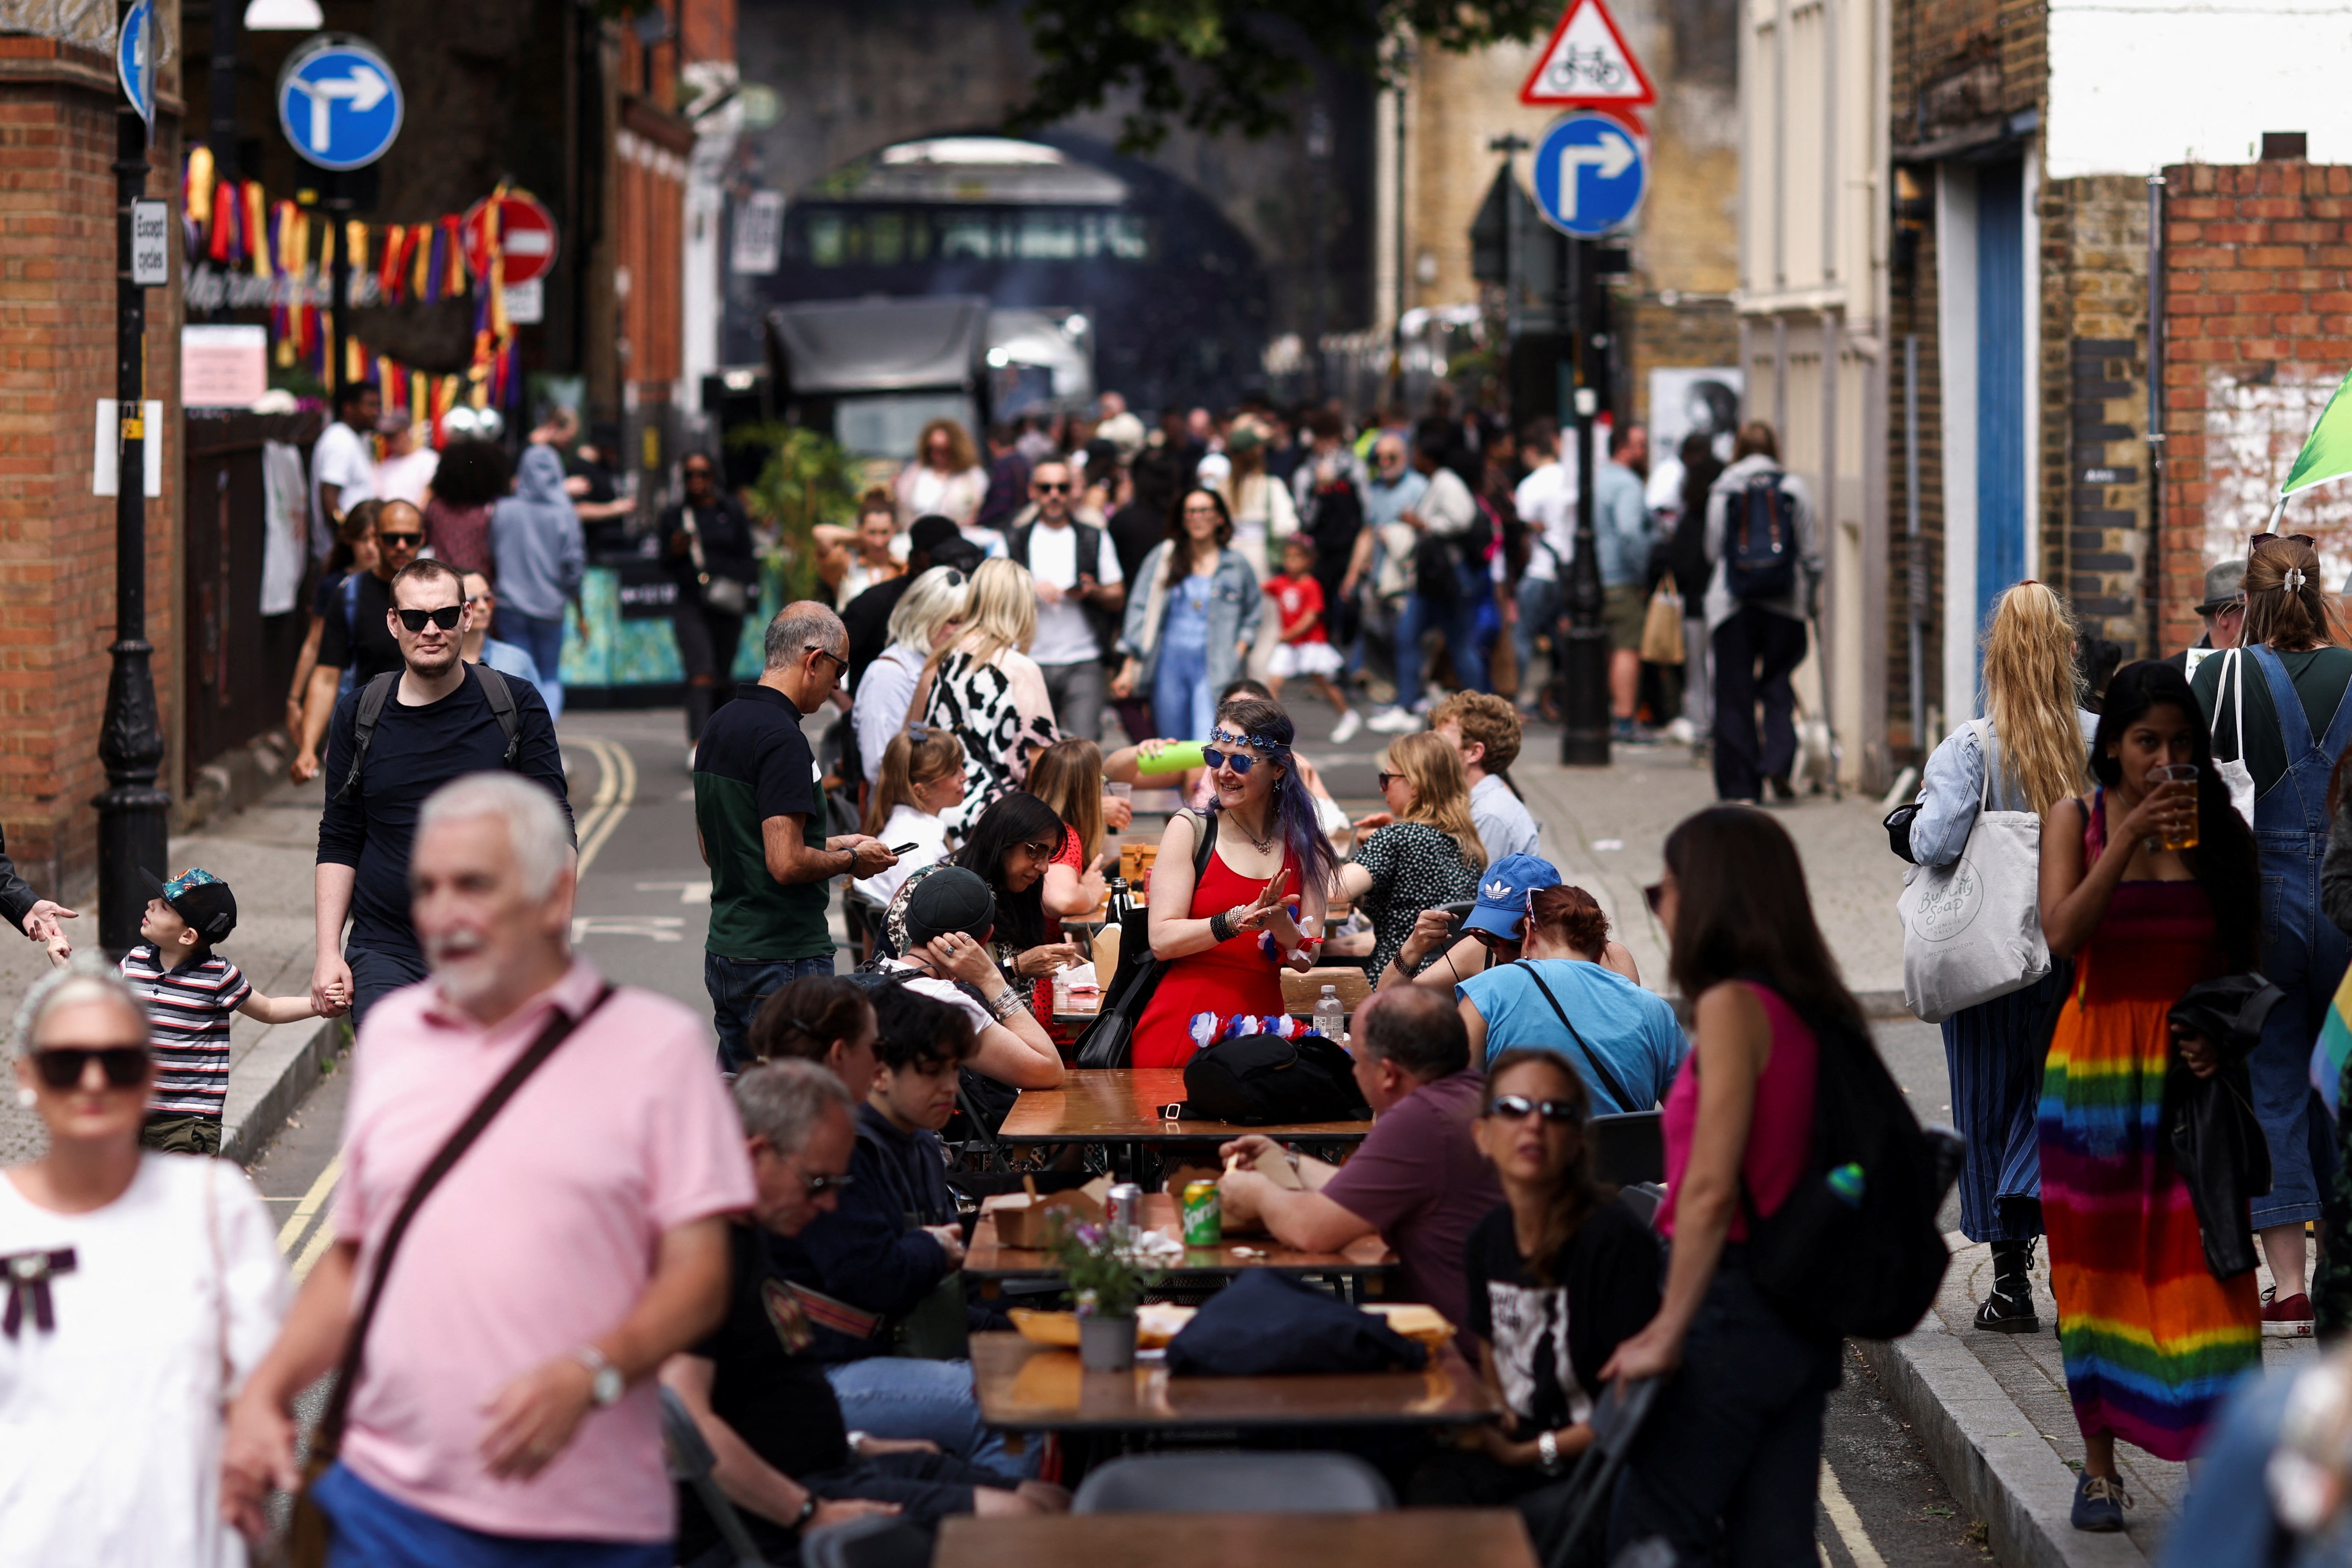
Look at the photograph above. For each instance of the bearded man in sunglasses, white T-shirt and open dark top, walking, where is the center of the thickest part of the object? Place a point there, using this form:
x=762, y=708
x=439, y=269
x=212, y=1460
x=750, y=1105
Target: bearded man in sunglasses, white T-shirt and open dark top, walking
x=1078, y=598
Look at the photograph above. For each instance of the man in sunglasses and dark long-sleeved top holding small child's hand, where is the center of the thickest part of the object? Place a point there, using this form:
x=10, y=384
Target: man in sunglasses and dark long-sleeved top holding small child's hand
x=436, y=723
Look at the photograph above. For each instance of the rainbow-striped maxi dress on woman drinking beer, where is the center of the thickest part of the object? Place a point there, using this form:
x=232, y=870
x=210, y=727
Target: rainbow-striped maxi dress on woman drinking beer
x=2151, y=1341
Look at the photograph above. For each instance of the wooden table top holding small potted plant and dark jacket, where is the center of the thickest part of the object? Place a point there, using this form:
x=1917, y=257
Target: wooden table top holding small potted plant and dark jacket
x=1041, y=1388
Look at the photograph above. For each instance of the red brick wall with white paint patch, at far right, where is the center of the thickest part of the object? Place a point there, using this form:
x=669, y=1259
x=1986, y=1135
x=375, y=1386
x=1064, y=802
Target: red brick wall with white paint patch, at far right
x=2257, y=333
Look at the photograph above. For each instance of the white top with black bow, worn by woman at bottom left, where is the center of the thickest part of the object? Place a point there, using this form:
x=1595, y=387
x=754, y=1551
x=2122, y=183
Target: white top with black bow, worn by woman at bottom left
x=112, y=1419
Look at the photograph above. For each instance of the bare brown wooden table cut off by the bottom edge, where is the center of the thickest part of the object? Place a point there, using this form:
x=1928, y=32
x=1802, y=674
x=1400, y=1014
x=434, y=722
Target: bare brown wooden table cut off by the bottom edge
x=1401, y=1539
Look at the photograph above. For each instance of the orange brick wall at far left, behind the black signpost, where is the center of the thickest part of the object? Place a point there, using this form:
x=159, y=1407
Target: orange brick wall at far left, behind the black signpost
x=58, y=542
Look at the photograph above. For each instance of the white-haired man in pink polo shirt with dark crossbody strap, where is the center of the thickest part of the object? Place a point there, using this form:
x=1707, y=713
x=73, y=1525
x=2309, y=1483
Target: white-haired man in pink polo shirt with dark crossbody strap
x=507, y=1407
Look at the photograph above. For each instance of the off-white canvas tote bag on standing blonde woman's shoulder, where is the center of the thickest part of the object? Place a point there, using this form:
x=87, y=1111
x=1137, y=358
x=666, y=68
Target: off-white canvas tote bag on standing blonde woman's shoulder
x=1972, y=930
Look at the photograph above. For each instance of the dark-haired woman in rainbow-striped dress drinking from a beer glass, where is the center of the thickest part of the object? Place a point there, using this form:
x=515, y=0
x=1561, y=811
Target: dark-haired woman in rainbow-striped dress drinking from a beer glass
x=2151, y=1341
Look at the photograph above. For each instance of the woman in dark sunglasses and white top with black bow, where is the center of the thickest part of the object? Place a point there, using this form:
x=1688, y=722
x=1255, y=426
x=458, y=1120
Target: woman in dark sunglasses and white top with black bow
x=138, y=1292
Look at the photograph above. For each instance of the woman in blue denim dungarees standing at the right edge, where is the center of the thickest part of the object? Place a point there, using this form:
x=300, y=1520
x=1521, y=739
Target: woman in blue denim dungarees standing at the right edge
x=2297, y=723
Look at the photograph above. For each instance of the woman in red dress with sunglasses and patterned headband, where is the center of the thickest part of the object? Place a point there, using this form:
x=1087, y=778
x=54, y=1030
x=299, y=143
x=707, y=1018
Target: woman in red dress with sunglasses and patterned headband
x=1269, y=862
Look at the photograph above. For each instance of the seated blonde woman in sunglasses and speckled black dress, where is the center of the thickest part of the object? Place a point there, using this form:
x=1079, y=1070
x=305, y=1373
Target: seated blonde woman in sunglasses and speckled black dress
x=1417, y=855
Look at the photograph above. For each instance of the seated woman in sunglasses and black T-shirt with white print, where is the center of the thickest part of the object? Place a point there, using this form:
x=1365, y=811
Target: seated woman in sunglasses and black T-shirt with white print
x=1556, y=1278
